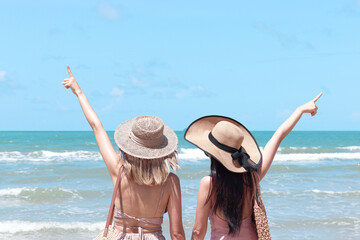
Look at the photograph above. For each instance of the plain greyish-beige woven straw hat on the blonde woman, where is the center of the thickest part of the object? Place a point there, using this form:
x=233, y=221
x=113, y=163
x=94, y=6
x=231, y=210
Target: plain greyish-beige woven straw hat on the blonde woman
x=146, y=137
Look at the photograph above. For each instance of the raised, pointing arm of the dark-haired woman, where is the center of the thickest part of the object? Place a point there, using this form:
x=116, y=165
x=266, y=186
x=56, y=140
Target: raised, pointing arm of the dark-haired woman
x=285, y=128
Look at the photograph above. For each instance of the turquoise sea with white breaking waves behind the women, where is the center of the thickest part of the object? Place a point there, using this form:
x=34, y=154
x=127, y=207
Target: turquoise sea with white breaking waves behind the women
x=55, y=185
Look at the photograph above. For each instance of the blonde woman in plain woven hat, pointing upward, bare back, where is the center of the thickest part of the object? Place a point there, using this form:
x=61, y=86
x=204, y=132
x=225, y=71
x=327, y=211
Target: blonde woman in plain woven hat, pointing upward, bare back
x=146, y=189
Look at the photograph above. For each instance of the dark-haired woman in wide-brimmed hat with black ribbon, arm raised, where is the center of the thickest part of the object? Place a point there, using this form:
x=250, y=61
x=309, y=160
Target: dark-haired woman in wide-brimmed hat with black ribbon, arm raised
x=230, y=196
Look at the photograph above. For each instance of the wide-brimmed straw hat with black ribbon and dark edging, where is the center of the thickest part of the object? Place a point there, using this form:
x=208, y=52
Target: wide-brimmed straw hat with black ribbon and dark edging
x=226, y=140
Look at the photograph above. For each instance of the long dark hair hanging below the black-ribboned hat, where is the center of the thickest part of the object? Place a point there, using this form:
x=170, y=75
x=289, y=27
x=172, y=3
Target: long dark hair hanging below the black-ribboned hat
x=229, y=189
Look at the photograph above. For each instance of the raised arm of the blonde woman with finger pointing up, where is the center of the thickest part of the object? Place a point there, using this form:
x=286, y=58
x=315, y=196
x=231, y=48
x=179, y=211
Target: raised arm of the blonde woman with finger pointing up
x=106, y=149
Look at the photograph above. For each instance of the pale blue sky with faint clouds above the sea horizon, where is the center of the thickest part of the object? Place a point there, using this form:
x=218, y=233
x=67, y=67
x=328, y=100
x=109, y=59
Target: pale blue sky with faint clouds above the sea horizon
x=255, y=61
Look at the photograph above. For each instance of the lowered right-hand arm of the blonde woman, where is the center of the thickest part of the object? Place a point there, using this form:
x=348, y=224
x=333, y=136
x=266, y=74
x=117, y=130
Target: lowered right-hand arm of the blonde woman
x=174, y=209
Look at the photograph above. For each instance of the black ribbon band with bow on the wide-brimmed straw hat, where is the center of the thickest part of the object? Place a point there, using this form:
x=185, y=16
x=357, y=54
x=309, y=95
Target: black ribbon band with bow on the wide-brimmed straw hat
x=243, y=157
